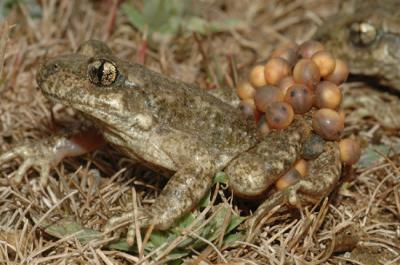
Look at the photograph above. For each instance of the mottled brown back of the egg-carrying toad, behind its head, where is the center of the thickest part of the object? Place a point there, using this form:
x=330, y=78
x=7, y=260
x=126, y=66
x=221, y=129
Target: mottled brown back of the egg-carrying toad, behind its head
x=188, y=109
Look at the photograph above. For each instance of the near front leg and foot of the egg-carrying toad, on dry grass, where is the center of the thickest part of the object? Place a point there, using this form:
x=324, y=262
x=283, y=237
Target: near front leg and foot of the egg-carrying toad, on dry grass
x=182, y=192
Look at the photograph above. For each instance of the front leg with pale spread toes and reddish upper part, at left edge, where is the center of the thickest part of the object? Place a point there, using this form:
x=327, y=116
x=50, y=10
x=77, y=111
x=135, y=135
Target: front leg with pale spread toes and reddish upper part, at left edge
x=48, y=153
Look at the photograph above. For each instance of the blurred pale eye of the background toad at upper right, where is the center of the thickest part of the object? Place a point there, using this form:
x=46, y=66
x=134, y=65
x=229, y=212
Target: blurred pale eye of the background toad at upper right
x=362, y=34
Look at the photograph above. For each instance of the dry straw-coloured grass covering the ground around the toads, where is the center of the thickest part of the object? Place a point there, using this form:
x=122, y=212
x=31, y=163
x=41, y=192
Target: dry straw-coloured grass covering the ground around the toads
x=364, y=212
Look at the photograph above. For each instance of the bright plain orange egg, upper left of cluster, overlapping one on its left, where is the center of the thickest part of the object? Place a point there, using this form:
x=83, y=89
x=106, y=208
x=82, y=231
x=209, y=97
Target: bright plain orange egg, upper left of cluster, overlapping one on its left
x=275, y=69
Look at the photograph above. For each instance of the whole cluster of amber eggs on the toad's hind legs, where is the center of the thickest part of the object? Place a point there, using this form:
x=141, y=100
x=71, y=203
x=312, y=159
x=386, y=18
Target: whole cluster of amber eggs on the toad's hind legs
x=299, y=79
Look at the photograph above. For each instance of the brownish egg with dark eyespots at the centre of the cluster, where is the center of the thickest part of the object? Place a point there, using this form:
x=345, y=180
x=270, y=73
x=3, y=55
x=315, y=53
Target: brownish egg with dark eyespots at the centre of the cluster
x=300, y=98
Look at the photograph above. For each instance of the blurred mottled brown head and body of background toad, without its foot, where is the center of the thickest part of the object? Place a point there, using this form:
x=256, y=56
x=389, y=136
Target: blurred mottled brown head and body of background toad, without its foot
x=377, y=57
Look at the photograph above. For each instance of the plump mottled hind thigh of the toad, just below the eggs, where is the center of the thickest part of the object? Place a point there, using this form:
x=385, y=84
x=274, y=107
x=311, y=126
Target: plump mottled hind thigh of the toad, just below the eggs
x=254, y=171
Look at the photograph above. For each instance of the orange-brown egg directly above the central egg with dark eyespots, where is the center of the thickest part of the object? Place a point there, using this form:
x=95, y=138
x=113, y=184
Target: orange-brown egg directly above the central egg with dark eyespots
x=306, y=72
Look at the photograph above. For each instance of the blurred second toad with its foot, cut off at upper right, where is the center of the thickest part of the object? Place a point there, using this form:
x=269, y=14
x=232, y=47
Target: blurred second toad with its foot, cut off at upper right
x=366, y=34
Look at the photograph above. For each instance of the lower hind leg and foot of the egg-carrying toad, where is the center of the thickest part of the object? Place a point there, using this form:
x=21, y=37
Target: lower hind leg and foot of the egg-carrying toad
x=323, y=176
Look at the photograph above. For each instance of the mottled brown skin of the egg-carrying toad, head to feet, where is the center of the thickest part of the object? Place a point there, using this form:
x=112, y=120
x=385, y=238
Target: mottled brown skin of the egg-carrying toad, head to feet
x=178, y=129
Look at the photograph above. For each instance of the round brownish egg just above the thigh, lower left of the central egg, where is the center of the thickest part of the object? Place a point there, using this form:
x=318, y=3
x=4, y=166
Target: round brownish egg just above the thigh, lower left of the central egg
x=279, y=115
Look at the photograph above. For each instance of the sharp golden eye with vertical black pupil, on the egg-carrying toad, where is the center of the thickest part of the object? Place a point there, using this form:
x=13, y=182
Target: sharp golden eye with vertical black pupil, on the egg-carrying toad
x=102, y=72
